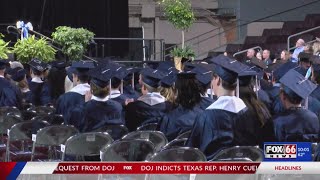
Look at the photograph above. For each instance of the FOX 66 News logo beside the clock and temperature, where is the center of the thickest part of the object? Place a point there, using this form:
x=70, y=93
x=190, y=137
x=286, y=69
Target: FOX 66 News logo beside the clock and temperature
x=280, y=151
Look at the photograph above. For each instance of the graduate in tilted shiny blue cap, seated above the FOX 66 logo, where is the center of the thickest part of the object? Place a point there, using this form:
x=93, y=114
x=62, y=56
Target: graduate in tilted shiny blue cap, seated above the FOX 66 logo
x=296, y=123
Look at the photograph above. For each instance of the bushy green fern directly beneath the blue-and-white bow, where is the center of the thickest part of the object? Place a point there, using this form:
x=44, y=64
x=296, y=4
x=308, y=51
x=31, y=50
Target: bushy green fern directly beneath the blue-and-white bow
x=31, y=47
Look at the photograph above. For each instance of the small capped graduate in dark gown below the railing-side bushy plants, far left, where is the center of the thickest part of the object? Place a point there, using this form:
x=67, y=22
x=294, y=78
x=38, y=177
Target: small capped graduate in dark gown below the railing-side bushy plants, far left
x=40, y=91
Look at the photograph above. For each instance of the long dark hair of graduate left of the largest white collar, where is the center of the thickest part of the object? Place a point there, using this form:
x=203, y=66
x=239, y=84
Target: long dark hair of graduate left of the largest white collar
x=188, y=94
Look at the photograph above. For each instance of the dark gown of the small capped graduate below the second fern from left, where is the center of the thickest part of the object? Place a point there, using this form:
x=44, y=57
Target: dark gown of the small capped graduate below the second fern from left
x=40, y=93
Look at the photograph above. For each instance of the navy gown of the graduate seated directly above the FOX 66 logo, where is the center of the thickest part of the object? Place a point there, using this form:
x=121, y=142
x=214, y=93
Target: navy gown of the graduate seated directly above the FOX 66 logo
x=296, y=125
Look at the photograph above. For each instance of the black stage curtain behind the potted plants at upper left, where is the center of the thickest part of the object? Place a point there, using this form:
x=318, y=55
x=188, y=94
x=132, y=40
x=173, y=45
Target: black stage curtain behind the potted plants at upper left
x=106, y=18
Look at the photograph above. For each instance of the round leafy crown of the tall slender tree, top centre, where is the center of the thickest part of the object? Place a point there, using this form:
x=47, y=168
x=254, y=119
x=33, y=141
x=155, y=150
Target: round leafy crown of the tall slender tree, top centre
x=179, y=13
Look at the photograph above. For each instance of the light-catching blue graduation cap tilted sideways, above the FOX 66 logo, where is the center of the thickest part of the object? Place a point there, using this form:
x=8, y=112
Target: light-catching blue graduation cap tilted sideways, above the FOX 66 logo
x=297, y=84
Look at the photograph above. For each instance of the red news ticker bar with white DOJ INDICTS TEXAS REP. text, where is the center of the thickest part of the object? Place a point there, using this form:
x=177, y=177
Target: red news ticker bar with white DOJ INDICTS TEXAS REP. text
x=156, y=168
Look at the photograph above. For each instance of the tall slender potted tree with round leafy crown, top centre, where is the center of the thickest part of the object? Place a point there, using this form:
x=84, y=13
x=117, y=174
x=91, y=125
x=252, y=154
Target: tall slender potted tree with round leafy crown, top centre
x=180, y=14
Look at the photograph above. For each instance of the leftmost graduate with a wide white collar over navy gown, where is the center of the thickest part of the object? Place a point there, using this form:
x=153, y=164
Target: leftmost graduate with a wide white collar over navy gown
x=75, y=96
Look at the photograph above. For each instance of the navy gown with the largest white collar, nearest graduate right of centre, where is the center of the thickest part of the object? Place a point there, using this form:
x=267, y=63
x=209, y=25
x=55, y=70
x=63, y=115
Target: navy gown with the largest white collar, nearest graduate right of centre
x=213, y=129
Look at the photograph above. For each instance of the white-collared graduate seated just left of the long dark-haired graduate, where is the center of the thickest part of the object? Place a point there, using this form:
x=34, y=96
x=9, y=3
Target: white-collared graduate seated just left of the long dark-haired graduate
x=151, y=106
